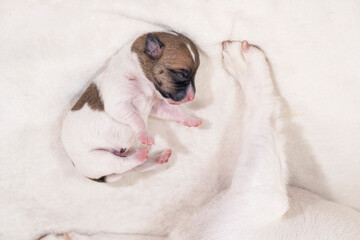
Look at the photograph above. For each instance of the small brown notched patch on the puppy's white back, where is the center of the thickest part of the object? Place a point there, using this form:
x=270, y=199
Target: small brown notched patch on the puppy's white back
x=92, y=97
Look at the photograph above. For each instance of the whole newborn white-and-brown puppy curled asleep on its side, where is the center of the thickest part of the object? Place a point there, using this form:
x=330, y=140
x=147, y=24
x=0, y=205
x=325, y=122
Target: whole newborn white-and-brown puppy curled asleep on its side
x=100, y=132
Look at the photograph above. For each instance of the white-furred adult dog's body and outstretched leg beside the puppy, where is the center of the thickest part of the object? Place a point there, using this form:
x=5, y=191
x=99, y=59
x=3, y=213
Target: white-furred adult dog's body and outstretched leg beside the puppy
x=256, y=206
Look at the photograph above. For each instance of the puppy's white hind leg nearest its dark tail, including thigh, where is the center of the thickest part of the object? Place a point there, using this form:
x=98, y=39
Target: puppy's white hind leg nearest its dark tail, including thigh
x=103, y=163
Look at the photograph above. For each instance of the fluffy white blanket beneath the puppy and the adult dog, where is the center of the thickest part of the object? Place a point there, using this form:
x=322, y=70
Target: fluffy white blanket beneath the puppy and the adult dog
x=51, y=49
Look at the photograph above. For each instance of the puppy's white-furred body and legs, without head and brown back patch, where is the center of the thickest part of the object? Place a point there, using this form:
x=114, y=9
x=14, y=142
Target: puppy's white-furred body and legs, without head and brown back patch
x=90, y=136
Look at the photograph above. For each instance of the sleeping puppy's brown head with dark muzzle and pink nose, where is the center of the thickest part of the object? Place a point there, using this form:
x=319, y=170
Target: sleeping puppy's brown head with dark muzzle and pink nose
x=170, y=62
